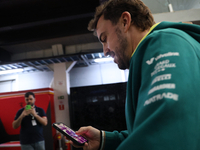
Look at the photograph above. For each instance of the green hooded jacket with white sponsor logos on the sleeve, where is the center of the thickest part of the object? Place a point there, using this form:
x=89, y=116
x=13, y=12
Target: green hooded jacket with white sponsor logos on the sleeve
x=163, y=92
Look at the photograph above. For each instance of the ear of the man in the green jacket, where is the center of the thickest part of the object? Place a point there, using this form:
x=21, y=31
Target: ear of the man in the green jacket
x=126, y=20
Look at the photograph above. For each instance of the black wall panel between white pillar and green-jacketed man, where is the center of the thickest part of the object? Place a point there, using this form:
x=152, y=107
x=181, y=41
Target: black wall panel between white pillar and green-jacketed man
x=101, y=106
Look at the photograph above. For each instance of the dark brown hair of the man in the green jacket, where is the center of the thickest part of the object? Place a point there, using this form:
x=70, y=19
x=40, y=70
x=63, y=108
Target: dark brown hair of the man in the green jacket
x=141, y=15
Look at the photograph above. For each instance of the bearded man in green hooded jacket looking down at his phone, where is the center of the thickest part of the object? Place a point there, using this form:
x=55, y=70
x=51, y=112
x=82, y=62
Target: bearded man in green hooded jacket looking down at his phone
x=162, y=101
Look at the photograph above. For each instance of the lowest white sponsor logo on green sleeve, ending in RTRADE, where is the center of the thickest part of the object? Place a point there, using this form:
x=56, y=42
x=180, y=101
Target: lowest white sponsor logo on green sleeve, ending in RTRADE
x=158, y=97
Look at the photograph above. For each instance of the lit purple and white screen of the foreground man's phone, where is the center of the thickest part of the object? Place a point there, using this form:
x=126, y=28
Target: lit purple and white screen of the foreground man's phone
x=71, y=133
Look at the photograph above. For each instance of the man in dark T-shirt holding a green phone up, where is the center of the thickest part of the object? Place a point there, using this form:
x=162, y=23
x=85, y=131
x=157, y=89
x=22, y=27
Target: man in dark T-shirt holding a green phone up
x=32, y=121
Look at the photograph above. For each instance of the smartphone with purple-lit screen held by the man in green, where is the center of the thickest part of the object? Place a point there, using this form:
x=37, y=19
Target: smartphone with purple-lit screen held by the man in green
x=69, y=133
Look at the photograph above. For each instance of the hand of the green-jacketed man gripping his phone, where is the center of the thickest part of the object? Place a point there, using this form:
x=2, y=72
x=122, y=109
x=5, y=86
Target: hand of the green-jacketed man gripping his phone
x=92, y=135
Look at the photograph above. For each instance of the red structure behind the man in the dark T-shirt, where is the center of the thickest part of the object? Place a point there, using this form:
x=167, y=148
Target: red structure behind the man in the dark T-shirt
x=11, y=102
